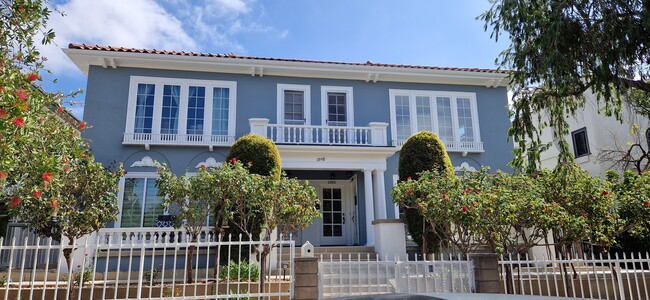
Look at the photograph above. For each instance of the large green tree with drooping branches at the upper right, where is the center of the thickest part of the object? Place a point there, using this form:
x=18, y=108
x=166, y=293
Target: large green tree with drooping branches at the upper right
x=561, y=49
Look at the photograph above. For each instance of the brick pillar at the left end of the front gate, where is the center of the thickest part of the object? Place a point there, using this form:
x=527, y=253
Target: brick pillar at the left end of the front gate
x=306, y=278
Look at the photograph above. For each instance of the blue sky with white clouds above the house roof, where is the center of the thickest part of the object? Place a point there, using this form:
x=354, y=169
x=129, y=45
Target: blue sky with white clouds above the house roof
x=418, y=32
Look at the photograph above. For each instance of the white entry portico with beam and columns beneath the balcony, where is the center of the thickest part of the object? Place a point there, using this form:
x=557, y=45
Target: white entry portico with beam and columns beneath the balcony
x=371, y=161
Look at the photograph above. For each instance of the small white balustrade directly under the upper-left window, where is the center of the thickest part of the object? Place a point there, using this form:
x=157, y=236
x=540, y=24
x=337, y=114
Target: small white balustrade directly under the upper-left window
x=177, y=139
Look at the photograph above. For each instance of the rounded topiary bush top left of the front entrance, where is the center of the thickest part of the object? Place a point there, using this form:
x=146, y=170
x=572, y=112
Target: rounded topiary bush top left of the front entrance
x=260, y=152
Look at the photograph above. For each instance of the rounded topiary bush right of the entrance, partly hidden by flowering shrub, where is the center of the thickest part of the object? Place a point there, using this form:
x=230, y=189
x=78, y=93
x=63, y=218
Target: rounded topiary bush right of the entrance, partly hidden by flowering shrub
x=422, y=151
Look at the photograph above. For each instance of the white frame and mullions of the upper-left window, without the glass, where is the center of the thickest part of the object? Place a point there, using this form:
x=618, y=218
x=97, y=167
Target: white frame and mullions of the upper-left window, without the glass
x=159, y=82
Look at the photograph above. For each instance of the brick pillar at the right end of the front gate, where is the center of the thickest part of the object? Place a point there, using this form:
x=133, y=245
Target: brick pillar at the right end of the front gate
x=486, y=272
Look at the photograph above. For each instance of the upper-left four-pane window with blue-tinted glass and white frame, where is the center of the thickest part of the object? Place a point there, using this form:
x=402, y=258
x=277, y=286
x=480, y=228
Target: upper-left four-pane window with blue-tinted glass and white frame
x=170, y=106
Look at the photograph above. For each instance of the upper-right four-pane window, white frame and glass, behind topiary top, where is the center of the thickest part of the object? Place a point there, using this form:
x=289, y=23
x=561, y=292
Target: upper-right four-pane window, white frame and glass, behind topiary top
x=452, y=115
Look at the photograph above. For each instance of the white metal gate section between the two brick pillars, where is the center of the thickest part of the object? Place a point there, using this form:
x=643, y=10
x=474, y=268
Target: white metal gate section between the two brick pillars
x=356, y=276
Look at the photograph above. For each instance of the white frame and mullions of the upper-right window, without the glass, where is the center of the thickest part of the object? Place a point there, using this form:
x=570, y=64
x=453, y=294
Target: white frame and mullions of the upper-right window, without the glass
x=434, y=115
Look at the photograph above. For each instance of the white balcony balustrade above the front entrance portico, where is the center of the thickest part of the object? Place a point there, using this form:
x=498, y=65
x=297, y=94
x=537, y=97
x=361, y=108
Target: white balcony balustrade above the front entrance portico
x=372, y=135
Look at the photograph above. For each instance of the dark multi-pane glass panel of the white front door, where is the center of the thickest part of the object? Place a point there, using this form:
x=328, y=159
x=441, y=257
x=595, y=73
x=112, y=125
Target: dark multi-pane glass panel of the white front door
x=333, y=209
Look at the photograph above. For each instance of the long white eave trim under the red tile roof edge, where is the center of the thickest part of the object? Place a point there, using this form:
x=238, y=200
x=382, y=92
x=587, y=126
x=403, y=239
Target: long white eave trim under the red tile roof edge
x=85, y=58
